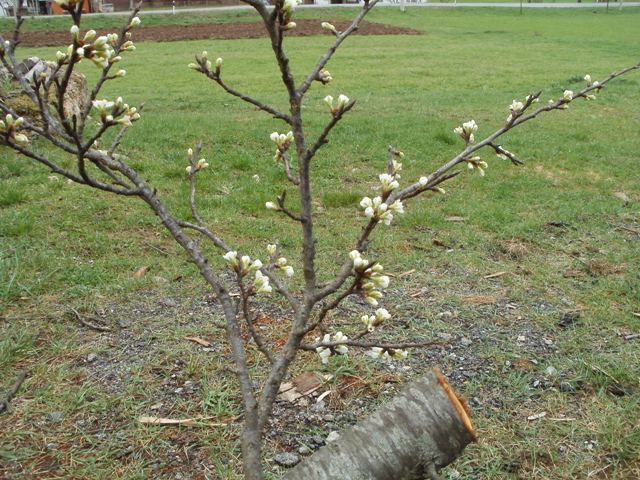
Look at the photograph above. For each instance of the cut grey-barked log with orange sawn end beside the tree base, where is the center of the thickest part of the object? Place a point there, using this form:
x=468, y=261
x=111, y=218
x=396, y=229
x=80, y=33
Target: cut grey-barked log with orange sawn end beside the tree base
x=423, y=429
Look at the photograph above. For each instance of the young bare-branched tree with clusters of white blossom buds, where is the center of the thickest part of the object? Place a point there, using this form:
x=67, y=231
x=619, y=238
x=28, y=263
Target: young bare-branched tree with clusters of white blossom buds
x=73, y=131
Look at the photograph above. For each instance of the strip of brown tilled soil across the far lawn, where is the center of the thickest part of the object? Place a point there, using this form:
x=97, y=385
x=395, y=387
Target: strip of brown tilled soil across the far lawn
x=225, y=31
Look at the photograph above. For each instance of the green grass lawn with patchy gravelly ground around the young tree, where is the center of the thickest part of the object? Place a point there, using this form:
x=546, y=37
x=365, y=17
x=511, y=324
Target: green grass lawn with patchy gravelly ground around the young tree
x=556, y=333
